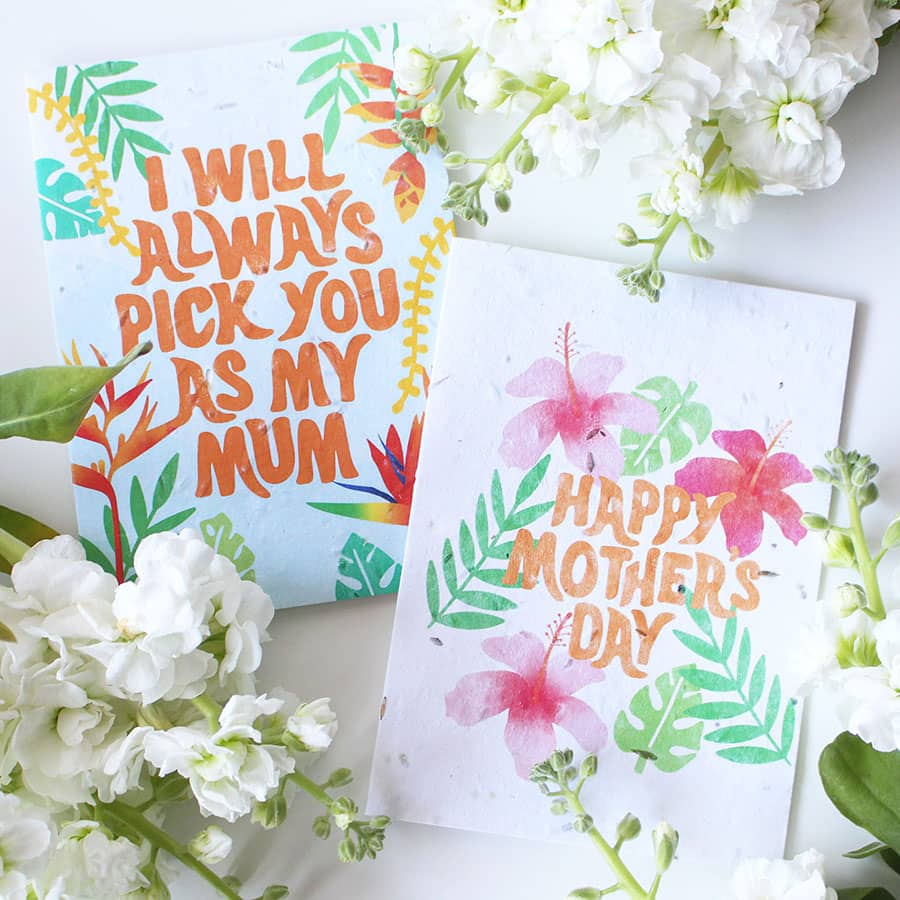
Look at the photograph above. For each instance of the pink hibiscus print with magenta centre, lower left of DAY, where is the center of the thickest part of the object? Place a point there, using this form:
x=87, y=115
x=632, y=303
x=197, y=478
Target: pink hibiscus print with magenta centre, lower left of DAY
x=536, y=694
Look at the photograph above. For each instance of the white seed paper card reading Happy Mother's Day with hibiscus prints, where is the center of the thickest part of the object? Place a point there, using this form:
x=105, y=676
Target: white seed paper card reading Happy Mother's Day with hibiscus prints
x=606, y=551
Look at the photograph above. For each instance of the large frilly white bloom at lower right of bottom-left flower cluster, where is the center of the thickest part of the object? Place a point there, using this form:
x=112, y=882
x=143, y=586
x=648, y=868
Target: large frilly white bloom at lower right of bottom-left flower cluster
x=227, y=769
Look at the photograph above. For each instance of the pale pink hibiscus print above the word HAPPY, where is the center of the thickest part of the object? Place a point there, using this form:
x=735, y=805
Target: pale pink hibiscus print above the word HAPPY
x=577, y=408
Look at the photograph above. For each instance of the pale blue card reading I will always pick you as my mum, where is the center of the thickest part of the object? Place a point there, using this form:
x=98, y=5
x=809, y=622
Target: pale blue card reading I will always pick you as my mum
x=251, y=211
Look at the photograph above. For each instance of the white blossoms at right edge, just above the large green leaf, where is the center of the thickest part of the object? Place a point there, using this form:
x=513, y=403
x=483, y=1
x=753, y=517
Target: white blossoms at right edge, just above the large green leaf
x=857, y=660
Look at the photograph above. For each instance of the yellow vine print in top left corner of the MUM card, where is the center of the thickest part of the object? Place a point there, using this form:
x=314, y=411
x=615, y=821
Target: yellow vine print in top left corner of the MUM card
x=88, y=158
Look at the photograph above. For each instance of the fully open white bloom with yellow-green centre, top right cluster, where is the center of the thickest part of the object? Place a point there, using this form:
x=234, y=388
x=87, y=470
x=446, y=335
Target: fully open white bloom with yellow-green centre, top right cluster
x=782, y=135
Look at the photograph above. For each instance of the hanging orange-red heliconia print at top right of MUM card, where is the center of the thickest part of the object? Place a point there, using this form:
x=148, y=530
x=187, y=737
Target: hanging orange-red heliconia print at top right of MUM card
x=406, y=170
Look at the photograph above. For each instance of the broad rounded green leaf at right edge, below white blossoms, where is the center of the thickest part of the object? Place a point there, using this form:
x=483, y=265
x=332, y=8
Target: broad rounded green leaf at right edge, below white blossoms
x=864, y=784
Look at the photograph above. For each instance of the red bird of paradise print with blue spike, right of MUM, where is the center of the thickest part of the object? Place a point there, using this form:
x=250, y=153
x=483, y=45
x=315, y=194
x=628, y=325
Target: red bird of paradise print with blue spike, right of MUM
x=398, y=474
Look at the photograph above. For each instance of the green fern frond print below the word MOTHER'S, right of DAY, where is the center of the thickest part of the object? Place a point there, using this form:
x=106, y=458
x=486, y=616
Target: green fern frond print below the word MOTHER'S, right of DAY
x=740, y=739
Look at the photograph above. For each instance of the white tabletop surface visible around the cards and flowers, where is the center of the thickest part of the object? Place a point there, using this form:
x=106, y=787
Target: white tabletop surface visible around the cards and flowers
x=844, y=241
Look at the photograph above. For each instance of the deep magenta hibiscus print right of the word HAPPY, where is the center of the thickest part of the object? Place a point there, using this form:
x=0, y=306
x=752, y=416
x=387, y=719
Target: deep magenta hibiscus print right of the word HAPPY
x=758, y=480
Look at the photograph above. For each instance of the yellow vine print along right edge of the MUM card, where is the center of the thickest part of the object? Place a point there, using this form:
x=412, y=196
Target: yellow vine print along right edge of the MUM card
x=435, y=245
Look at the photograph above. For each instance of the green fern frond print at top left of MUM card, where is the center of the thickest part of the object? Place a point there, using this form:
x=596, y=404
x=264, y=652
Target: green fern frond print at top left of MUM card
x=106, y=100
